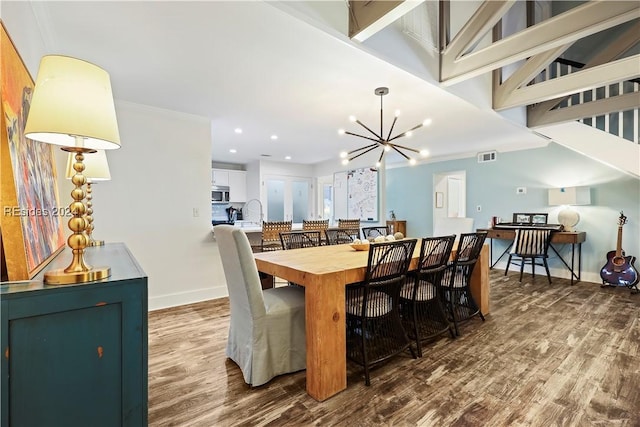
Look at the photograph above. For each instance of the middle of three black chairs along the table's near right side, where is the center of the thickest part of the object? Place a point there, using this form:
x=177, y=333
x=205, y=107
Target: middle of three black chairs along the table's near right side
x=421, y=308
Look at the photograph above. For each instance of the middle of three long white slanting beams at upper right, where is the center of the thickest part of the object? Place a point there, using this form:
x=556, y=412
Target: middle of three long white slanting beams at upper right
x=612, y=72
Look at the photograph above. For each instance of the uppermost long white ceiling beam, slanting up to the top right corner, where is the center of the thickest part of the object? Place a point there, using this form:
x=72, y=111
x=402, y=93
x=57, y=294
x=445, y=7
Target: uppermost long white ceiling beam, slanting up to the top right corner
x=577, y=23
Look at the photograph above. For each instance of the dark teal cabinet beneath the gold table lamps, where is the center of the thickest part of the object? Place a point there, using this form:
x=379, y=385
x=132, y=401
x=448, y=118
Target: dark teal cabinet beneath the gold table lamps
x=76, y=355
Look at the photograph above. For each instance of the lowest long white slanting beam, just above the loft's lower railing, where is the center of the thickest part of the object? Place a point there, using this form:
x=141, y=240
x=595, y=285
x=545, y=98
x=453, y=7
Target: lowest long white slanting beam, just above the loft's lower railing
x=600, y=107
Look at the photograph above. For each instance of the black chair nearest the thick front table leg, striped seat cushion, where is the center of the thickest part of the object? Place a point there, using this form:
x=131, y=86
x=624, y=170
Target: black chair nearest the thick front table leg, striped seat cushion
x=374, y=328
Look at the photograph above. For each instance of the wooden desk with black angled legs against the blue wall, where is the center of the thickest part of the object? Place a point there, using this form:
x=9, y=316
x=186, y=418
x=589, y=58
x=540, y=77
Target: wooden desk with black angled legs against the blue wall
x=572, y=238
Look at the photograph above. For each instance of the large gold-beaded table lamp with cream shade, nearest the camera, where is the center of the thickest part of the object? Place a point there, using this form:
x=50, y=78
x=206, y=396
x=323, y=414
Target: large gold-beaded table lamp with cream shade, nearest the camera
x=72, y=106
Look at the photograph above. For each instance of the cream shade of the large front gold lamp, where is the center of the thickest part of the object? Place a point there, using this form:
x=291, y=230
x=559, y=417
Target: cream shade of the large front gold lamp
x=72, y=98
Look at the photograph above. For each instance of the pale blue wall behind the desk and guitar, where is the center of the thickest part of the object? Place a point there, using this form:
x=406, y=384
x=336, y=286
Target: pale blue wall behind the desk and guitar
x=409, y=192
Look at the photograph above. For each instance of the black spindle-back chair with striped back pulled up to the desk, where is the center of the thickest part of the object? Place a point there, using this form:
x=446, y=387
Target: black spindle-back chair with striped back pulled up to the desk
x=530, y=246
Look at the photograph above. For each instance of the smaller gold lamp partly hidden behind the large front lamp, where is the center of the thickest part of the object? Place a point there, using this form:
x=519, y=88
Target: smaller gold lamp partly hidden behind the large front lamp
x=96, y=168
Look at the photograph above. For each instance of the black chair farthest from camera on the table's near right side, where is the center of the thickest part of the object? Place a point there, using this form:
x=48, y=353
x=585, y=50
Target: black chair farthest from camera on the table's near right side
x=456, y=289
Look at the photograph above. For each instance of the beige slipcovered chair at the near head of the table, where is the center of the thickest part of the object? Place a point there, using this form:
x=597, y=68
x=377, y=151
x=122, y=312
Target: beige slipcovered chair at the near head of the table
x=267, y=327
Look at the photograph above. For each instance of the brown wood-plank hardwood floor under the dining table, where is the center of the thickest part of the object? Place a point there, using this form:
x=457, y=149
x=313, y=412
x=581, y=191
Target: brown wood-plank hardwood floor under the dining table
x=547, y=355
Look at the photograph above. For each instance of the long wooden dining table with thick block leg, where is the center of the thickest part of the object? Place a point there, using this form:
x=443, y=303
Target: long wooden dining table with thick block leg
x=324, y=271
